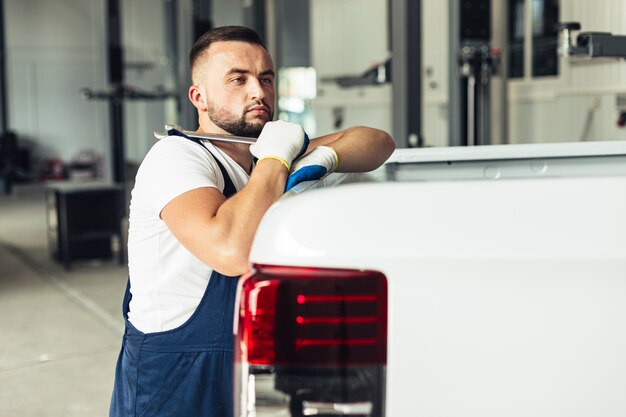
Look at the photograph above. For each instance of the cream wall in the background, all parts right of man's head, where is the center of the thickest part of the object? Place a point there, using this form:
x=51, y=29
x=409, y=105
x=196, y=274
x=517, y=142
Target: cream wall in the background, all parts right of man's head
x=579, y=104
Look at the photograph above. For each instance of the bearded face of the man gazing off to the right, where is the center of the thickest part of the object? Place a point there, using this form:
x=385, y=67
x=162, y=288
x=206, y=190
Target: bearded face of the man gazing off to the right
x=238, y=79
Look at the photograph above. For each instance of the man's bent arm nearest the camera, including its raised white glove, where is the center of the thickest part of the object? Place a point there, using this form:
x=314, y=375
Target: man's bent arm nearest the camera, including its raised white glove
x=219, y=231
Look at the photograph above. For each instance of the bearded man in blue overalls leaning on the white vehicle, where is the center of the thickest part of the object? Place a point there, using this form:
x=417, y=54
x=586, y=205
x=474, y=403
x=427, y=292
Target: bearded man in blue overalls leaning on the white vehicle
x=194, y=210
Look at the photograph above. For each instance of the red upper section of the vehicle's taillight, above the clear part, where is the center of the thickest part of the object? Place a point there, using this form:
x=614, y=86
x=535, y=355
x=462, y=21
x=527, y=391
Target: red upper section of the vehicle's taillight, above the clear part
x=311, y=316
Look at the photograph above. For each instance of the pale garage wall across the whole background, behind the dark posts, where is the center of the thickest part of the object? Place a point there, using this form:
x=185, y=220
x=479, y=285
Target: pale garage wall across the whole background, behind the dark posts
x=56, y=48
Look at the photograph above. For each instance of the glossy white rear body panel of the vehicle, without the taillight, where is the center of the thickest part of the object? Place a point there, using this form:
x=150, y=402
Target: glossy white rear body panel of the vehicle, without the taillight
x=505, y=297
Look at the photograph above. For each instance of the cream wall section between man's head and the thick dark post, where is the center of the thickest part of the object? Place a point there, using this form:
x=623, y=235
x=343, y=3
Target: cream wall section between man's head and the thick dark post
x=347, y=37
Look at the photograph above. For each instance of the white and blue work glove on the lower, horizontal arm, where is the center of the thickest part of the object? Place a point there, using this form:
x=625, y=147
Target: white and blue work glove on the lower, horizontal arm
x=315, y=165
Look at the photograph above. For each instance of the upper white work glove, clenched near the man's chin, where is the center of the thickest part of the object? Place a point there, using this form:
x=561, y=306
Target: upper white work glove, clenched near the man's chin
x=282, y=141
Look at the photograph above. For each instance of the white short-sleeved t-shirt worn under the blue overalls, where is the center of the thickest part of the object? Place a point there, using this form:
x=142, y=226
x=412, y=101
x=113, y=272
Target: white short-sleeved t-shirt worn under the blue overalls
x=167, y=281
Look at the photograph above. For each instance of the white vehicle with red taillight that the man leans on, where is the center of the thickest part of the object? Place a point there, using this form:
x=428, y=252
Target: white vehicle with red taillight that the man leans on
x=424, y=289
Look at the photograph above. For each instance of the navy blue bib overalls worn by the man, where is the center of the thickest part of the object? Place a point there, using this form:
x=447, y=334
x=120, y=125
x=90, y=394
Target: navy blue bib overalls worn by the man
x=186, y=371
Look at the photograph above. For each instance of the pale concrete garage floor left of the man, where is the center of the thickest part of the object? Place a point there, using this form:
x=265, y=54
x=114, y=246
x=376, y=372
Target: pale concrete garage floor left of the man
x=60, y=331
